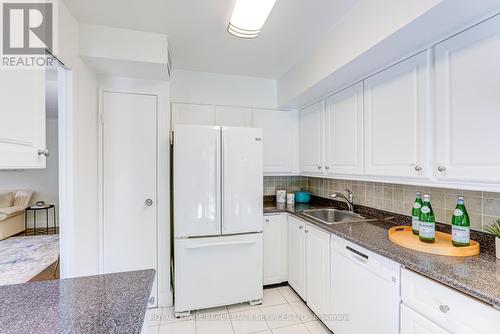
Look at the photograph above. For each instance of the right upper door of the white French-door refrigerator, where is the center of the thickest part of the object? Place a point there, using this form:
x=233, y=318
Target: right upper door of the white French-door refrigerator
x=242, y=180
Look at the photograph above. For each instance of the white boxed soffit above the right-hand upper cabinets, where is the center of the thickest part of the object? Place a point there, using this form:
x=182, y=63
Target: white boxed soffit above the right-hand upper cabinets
x=372, y=35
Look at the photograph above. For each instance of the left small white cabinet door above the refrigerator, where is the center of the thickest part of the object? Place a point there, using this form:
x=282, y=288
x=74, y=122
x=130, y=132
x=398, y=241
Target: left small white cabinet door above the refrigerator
x=192, y=114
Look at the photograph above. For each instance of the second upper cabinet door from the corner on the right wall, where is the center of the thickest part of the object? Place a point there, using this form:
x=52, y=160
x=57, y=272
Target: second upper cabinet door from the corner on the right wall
x=344, y=131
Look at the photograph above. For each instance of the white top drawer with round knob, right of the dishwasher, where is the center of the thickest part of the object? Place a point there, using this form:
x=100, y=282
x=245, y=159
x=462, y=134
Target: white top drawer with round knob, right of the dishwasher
x=454, y=311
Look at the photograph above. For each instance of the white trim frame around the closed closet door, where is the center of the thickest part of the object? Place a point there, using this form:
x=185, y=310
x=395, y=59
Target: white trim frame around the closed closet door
x=161, y=89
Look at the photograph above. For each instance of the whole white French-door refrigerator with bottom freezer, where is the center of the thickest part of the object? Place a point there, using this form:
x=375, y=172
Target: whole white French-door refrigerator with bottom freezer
x=218, y=207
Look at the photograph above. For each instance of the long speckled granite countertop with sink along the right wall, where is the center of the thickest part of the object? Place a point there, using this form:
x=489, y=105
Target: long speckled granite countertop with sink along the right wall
x=477, y=276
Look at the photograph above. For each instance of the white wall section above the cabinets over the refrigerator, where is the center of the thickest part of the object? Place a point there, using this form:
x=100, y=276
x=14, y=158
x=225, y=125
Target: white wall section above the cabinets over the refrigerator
x=222, y=89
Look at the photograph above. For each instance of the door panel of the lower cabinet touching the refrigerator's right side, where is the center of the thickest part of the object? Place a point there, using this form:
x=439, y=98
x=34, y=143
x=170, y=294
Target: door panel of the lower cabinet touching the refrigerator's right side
x=273, y=249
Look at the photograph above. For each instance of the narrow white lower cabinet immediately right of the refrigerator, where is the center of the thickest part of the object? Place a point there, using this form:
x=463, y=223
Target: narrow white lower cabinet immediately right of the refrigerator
x=275, y=248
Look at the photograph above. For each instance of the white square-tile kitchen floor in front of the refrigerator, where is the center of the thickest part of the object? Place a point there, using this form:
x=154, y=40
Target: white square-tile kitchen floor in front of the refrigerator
x=282, y=312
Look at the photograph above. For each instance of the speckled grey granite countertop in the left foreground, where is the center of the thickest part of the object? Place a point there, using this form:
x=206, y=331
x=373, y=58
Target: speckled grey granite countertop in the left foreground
x=111, y=303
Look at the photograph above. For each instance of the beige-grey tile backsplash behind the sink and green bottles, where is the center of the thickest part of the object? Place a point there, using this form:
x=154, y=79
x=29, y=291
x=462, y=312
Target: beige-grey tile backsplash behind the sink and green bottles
x=483, y=207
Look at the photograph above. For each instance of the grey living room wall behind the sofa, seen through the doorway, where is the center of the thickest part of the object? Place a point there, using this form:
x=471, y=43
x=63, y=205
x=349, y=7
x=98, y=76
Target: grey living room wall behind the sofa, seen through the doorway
x=44, y=182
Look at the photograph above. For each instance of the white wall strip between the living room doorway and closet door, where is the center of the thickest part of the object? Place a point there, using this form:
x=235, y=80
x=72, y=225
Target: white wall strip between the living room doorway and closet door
x=79, y=221
